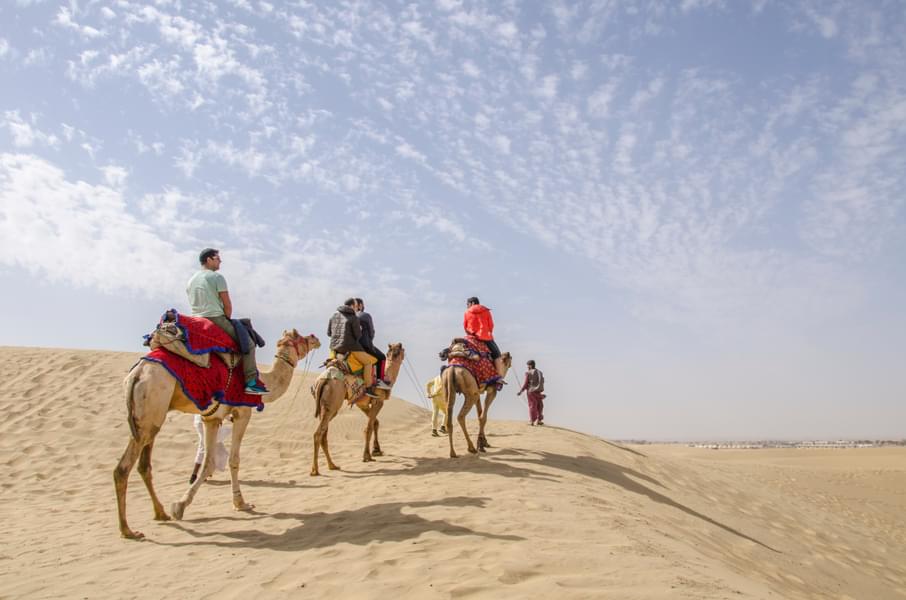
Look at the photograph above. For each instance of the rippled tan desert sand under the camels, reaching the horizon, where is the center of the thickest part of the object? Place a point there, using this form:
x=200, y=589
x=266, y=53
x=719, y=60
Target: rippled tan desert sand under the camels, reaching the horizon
x=546, y=513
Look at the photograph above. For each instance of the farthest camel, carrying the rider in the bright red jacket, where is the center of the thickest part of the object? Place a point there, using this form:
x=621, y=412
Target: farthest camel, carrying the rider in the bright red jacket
x=458, y=380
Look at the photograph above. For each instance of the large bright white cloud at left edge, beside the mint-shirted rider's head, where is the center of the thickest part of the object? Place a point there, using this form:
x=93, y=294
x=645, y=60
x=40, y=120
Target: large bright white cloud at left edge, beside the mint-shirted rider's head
x=77, y=232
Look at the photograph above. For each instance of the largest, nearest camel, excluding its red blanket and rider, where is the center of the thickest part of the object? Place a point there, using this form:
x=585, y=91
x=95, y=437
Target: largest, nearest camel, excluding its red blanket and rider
x=151, y=392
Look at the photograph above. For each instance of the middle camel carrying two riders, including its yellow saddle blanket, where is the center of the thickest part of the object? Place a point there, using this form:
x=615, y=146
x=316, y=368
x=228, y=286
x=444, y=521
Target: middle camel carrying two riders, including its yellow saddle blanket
x=342, y=382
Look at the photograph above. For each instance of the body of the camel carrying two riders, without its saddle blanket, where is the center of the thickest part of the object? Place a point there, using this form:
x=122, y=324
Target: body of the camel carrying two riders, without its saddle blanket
x=329, y=393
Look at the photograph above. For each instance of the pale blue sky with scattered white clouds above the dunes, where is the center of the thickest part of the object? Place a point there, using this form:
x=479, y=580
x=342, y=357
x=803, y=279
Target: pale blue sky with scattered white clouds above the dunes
x=691, y=214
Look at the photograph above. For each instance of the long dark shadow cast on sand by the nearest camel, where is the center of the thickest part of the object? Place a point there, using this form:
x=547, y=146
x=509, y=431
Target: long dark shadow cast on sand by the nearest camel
x=385, y=522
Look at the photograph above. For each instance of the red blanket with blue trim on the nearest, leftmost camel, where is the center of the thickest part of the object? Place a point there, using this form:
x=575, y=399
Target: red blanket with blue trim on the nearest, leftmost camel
x=201, y=385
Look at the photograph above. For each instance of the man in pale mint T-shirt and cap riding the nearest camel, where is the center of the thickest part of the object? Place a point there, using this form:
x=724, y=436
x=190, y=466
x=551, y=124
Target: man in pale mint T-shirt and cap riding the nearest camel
x=209, y=298
